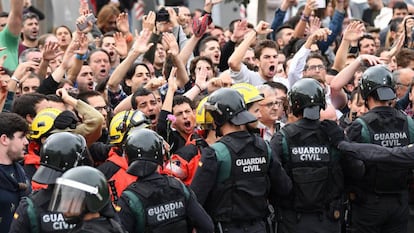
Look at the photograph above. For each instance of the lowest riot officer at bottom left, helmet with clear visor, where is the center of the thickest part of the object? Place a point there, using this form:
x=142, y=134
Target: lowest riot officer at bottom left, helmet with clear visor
x=81, y=194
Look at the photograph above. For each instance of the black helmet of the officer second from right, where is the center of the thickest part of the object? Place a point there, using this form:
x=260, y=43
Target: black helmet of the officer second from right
x=307, y=97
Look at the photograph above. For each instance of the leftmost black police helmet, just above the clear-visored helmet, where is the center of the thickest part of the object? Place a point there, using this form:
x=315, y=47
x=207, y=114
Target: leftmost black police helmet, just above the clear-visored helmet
x=60, y=152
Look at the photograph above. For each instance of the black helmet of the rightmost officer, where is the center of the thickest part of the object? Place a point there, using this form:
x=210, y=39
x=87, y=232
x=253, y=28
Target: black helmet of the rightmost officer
x=377, y=82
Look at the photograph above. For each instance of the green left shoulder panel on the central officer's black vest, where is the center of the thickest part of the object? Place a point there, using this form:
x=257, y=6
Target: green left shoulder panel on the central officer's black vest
x=223, y=158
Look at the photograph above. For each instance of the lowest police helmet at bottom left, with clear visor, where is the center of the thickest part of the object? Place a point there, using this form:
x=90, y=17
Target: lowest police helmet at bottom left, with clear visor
x=79, y=190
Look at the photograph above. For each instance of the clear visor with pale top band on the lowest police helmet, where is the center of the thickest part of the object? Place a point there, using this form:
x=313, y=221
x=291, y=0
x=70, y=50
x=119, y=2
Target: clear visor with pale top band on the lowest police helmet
x=69, y=197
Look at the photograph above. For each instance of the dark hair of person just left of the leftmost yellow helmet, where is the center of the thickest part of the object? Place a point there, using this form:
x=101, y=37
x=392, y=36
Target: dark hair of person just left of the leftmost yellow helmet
x=25, y=104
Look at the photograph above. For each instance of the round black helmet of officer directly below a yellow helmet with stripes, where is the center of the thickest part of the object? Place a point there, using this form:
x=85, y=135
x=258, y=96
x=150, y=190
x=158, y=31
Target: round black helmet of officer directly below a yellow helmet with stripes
x=144, y=149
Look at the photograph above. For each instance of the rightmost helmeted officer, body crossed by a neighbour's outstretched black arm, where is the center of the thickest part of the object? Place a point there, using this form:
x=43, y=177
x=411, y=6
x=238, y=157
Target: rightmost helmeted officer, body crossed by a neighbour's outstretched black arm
x=380, y=197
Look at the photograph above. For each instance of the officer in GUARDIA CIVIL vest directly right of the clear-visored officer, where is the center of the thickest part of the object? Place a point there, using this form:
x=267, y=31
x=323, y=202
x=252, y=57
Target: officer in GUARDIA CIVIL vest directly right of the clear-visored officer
x=155, y=202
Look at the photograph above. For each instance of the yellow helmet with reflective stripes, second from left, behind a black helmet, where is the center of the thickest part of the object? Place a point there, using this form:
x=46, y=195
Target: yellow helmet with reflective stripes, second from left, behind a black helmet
x=122, y=122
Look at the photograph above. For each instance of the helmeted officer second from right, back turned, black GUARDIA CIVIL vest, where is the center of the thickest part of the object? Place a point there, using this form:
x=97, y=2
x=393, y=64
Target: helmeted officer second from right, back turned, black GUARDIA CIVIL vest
x=312, y=162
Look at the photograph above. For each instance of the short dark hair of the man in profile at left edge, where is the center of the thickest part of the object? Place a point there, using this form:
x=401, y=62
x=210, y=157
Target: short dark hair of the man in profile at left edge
x=11, y=123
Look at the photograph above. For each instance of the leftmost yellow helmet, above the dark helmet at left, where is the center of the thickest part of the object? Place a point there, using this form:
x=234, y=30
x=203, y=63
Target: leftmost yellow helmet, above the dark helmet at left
x=43, y=122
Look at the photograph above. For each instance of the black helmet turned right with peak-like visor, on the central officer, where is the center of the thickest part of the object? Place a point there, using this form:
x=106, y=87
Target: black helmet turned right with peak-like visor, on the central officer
x=227, y=105
